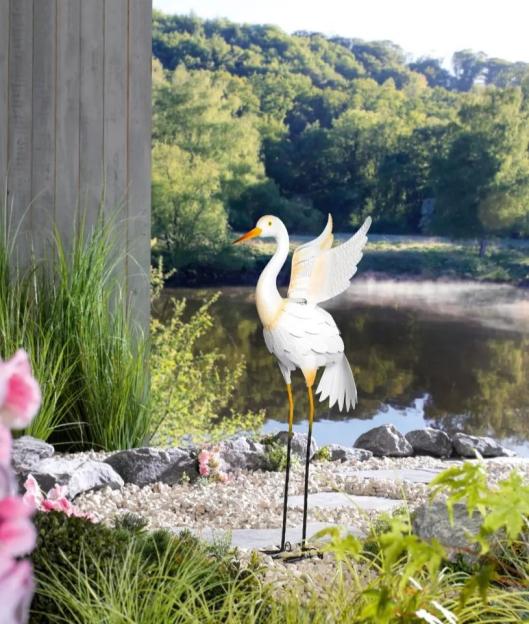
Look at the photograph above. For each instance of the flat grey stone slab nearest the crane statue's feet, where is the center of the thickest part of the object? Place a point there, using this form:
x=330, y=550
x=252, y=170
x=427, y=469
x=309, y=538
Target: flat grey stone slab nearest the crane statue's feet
x=250, y=539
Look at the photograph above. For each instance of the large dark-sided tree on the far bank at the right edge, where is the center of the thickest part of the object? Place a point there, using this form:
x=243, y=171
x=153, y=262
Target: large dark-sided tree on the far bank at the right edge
x=482, y=183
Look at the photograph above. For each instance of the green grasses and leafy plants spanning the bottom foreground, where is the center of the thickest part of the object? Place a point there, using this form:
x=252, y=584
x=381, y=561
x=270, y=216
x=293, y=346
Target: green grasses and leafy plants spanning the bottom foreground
x=126, y=575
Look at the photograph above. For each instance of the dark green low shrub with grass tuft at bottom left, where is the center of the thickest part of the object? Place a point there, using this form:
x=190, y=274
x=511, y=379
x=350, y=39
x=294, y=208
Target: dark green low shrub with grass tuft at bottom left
x=91, y=573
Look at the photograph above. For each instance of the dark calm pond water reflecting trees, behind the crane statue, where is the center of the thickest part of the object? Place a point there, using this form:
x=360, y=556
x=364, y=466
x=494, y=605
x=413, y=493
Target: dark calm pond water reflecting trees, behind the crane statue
x=451, y=355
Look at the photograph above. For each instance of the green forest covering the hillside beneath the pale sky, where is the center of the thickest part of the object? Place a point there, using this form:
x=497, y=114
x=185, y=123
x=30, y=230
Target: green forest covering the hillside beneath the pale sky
x=250, y=120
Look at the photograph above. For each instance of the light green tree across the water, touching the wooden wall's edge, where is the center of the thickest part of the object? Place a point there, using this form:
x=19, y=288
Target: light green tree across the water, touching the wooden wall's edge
x=206, y=156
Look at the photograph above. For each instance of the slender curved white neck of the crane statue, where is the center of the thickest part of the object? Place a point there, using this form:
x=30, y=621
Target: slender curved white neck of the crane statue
x=269, y=301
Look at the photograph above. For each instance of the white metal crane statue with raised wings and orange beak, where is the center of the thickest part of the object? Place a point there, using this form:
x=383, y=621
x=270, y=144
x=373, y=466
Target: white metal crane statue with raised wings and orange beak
x=301, y=334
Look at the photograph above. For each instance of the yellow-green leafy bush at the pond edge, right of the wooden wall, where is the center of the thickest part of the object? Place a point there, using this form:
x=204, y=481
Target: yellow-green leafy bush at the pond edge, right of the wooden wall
x=192, y=391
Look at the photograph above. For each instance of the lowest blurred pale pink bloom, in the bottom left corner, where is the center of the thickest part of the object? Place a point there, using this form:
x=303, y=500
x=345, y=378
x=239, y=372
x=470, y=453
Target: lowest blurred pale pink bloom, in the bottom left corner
x=16, y=590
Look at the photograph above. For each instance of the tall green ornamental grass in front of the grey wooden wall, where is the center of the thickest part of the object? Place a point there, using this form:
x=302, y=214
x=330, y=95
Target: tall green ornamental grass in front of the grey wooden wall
x=70, y=315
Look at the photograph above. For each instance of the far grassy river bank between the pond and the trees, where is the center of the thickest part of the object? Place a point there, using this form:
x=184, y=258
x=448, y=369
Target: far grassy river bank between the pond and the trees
x=396, y=257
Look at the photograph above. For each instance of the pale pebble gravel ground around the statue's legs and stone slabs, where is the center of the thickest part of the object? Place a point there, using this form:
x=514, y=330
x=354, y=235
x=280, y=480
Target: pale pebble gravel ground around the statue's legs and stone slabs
x=254, y=499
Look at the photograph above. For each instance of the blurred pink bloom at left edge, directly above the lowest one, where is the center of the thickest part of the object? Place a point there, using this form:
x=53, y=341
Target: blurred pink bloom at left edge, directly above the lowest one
x=17, y=533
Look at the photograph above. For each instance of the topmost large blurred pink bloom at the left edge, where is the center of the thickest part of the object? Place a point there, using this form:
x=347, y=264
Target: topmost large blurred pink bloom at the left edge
x=19, y=392
